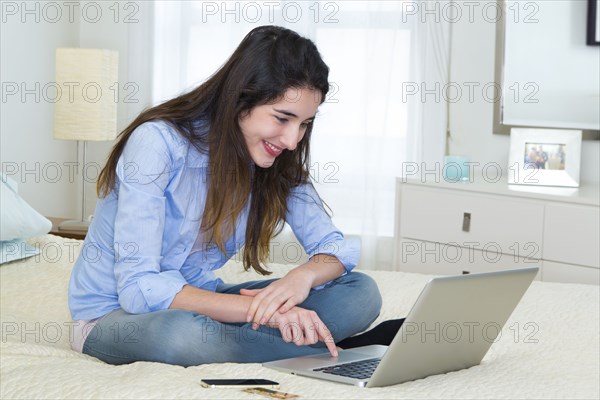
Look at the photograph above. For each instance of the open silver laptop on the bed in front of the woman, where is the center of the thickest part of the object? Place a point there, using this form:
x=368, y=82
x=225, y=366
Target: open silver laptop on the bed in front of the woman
x=451, y=326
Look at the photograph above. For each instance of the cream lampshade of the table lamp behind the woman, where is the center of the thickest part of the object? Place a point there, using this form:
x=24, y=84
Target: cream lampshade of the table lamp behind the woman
x=86, y=108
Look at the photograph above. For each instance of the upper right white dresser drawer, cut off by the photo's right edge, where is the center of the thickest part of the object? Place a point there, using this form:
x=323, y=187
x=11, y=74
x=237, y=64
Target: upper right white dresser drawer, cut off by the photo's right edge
x=572, y=234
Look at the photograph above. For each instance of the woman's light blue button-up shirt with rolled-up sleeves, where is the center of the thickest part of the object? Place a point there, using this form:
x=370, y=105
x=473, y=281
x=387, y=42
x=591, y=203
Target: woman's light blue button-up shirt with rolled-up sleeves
x=137, y=253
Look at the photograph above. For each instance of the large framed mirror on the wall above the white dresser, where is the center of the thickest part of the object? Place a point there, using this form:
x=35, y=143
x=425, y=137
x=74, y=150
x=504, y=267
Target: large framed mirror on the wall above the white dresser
x=548, y=75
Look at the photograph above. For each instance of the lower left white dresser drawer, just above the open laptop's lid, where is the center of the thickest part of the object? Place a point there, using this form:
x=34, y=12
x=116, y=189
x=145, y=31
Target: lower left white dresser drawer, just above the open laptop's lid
x=444, y=259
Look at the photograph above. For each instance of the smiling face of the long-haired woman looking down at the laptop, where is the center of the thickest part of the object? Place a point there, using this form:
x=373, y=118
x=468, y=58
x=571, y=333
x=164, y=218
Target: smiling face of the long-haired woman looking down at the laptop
x=270, y=129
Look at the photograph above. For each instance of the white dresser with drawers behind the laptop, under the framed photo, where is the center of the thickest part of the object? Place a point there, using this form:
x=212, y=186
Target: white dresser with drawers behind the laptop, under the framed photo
x=453, y=228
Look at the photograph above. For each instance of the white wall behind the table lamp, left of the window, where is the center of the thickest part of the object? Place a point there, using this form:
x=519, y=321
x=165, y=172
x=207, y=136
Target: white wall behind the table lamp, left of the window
x=30, y=34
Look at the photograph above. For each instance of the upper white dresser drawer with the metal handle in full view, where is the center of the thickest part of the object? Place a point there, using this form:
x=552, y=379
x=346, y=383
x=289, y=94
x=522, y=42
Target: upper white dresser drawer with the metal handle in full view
x=475, y=220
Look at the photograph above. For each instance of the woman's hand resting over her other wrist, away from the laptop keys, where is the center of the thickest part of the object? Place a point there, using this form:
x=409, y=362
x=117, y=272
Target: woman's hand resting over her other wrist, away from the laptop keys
x=280, y=296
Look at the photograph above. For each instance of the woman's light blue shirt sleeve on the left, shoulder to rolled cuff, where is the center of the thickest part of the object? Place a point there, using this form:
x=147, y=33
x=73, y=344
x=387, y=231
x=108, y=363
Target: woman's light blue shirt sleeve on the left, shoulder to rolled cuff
x=143, y=172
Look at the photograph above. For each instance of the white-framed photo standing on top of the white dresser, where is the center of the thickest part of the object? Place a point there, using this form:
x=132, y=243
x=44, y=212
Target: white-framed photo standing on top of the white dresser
x=547, y=157
